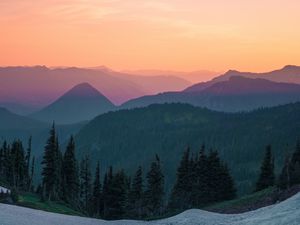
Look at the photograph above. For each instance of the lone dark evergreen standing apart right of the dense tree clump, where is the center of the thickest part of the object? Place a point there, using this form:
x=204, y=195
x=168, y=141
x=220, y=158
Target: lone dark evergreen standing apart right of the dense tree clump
x=266, y=177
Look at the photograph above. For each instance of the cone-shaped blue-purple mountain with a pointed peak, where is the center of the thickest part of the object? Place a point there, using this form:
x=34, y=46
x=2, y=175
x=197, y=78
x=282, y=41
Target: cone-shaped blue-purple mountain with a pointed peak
x=82, y=102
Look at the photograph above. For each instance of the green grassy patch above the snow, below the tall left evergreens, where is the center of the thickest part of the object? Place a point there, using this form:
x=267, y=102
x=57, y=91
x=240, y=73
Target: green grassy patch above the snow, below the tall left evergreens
x=33, y=201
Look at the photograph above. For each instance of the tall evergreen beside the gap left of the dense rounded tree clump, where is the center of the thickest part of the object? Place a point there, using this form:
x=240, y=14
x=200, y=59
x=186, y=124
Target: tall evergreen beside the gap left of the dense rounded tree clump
x=155, y=189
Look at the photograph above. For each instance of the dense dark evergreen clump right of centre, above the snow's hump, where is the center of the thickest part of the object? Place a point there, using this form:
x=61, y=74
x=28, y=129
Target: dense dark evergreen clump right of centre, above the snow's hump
x=201, y=180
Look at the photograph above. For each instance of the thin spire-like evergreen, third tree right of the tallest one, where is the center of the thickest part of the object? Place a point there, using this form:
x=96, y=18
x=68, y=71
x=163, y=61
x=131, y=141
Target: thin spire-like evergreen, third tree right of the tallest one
x=97, y=195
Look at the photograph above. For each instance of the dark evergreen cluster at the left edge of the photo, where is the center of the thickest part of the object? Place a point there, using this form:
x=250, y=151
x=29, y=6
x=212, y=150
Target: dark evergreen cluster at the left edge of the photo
x=16, y=165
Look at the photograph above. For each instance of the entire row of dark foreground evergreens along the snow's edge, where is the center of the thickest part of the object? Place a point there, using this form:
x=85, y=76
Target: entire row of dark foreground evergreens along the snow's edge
x=202, y=178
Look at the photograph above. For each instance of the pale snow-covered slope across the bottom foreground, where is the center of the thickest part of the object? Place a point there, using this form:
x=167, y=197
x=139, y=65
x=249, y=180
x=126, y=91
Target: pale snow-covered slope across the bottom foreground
x=283, y=213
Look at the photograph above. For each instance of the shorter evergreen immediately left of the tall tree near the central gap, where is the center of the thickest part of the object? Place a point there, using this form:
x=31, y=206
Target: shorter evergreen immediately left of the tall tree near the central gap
x=136, y=195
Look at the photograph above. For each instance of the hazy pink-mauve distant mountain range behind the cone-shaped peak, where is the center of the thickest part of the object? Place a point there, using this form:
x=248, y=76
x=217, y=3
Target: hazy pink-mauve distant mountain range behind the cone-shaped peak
x=40, y=85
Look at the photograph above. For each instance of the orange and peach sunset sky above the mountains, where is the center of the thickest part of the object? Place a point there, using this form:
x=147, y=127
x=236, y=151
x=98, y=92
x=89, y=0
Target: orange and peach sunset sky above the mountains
x=186, y=35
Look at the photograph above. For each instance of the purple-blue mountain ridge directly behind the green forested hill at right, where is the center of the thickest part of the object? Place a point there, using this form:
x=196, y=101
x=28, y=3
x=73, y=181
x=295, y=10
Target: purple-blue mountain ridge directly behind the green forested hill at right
x=232, y=95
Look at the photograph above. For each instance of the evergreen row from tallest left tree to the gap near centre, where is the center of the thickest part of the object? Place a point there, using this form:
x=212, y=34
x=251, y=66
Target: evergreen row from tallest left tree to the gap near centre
x=113, y=197
